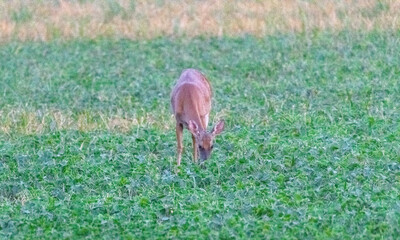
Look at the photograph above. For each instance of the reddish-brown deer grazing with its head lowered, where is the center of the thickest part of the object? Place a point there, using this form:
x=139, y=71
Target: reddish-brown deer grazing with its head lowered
x=191, y=105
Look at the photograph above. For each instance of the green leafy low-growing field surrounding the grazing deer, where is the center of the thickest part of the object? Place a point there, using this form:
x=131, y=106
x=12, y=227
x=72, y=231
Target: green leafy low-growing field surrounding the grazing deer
x=311, y=147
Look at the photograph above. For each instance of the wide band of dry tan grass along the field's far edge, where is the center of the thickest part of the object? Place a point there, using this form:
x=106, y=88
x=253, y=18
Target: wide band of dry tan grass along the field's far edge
x=142, y=19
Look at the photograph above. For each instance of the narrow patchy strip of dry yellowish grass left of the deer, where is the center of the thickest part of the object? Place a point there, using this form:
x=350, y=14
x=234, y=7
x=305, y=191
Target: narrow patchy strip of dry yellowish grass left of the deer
x=36, y=122
